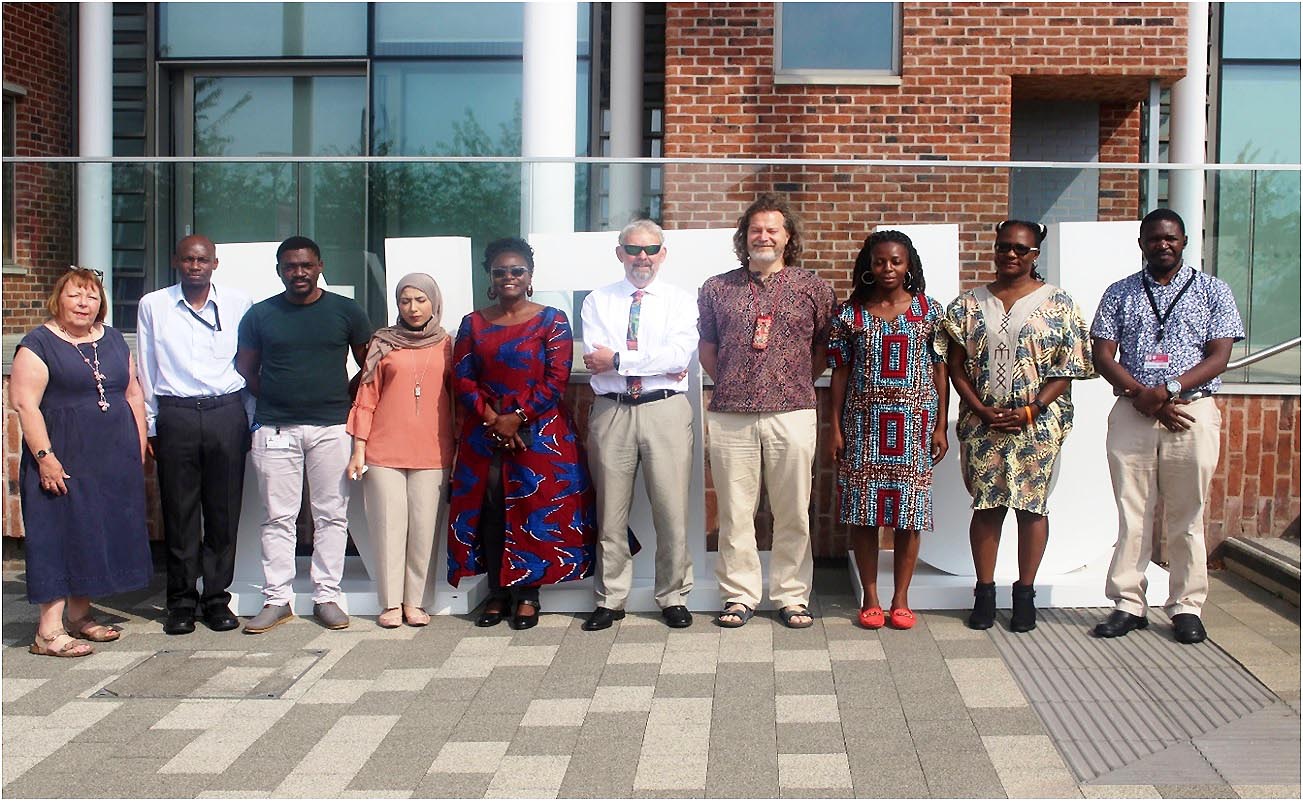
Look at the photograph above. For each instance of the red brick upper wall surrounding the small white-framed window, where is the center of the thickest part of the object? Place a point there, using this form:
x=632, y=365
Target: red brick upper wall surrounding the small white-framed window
x=961, y=67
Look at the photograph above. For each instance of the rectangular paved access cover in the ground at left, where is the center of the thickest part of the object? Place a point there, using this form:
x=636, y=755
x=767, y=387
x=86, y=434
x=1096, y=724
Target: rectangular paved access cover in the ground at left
x=213, y=675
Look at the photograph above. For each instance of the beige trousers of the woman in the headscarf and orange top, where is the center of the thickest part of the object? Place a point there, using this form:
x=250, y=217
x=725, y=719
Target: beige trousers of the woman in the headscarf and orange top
x=406, y=511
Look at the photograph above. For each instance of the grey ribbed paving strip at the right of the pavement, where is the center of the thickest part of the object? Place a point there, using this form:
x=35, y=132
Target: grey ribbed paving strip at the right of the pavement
x=1146, y=701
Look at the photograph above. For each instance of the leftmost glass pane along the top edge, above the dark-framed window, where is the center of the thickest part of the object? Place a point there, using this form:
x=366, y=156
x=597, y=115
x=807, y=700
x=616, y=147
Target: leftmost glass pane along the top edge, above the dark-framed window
x=199, y=31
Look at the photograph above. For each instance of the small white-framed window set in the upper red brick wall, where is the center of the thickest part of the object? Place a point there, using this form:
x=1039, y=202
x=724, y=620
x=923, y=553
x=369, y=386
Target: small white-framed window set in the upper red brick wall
x=837, y=36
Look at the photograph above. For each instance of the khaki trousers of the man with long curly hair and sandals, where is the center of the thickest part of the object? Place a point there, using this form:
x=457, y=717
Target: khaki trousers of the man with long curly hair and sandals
x=779, y=447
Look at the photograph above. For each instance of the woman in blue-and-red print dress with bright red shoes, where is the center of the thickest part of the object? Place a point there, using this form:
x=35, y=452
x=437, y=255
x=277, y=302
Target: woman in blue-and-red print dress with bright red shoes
x=889, y=385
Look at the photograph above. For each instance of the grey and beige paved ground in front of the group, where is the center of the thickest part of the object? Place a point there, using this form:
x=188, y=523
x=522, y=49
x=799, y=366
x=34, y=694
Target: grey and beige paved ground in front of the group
x=643, y=712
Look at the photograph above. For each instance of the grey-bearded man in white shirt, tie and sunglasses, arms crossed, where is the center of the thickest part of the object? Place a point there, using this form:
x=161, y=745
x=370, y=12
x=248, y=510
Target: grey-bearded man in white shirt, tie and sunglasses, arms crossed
x=639, y=339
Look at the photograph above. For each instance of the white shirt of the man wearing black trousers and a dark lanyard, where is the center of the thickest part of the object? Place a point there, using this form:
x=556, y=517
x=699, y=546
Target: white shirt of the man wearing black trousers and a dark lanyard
x=180, y=356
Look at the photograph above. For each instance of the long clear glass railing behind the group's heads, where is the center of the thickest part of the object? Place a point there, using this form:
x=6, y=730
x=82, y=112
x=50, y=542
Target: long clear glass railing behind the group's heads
x=375, y=217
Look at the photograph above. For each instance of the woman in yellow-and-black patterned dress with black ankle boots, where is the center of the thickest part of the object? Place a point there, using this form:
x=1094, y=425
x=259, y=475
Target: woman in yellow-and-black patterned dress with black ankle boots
x=1018, y=344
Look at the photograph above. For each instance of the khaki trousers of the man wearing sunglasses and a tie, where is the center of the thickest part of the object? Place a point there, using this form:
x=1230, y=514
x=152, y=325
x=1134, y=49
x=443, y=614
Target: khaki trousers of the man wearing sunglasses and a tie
x=657, y=437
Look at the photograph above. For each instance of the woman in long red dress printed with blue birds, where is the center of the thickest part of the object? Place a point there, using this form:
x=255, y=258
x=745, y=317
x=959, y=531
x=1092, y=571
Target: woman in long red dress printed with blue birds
x=523, y=505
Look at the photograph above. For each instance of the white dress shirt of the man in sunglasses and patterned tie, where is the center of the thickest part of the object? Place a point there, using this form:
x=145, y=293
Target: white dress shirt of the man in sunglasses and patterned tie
x=668, y=335
